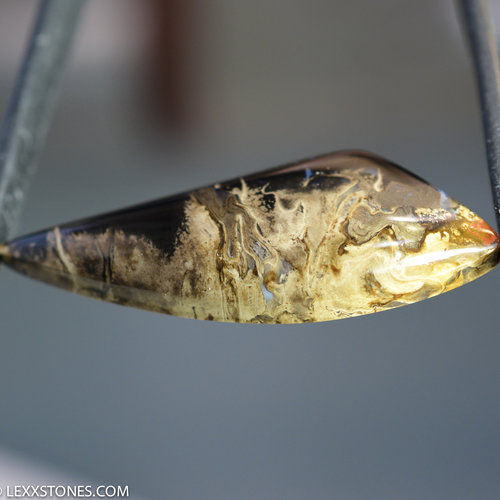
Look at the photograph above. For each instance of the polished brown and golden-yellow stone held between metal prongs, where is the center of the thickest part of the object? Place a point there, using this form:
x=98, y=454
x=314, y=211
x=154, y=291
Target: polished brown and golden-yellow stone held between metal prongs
x=340, y=235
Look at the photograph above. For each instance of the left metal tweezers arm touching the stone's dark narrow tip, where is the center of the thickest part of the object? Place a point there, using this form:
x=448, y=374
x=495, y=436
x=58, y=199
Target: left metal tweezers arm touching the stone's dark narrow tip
x=30, y=108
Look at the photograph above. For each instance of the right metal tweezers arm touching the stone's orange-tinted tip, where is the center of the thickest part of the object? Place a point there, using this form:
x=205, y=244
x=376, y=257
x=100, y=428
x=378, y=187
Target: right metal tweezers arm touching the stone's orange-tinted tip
x=481, y=38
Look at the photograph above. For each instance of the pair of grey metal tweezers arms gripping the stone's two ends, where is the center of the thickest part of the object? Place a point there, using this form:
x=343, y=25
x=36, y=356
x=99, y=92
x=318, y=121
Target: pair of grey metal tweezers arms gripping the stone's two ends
x=30, y=109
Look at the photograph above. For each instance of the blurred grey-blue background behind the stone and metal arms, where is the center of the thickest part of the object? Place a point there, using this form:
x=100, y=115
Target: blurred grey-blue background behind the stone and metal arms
x=400, y=404
